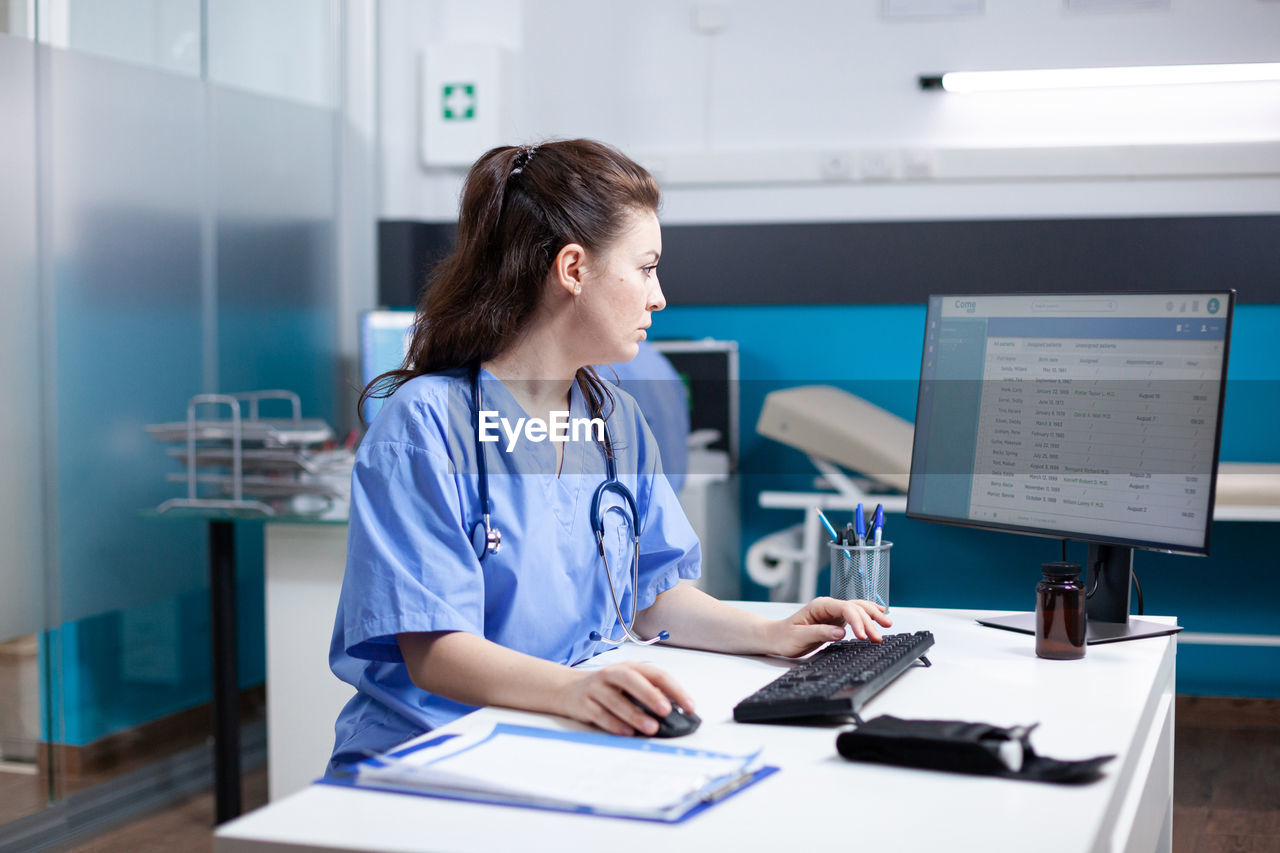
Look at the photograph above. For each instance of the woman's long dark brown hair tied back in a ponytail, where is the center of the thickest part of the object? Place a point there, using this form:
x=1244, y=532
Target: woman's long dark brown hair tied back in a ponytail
x=520, y=207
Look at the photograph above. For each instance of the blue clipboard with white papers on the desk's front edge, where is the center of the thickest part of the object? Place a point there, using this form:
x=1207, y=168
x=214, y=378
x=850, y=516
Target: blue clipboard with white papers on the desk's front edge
x=583, y=773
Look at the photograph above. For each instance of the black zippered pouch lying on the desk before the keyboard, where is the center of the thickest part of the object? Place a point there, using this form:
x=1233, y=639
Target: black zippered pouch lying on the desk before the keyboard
x=962, y=747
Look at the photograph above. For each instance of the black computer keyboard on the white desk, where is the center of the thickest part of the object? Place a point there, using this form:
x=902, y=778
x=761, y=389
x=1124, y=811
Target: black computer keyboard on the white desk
x=838, y=681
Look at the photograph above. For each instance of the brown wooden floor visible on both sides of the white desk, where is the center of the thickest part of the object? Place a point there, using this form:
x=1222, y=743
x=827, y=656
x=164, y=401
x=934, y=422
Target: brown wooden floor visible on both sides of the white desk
x=1227, y=788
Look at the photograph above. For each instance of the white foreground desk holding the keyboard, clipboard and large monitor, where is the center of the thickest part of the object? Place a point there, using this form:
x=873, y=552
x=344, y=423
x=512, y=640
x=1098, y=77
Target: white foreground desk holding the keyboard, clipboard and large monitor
x=1118, y=700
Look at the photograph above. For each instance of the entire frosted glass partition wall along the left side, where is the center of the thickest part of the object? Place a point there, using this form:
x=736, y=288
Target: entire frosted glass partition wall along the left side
x=167, y=232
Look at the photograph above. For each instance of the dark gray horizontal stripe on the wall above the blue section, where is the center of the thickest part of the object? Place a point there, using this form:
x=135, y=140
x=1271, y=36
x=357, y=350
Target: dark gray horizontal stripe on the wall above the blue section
x=906, y=262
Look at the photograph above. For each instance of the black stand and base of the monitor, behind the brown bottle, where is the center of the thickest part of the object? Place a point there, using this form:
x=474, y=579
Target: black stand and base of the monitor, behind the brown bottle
x=1108, y=609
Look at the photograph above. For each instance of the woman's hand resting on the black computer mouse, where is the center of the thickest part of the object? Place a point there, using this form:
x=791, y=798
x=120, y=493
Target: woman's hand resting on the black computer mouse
x=600, y=697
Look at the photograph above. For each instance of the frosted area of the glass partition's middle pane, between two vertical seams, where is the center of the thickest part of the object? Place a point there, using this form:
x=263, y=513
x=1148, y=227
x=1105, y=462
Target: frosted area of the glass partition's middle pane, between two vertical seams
x=125, y=240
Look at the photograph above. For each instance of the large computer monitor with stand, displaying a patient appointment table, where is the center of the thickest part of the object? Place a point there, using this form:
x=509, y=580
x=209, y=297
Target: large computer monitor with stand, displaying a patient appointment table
x=1084, y=417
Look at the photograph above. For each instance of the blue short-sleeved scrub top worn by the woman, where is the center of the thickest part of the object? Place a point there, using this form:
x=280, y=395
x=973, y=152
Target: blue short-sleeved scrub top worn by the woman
x=412, y=565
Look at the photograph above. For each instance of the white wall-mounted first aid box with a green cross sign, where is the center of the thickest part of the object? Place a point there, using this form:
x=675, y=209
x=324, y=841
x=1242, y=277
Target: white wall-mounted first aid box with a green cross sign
x=464, y=106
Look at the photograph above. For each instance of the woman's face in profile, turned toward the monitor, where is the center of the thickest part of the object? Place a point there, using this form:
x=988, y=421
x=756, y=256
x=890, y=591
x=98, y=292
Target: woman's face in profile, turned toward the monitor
x=621, y=291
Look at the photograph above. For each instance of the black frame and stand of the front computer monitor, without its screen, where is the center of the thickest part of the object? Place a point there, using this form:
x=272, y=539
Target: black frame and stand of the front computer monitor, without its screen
x=1109, y=571
